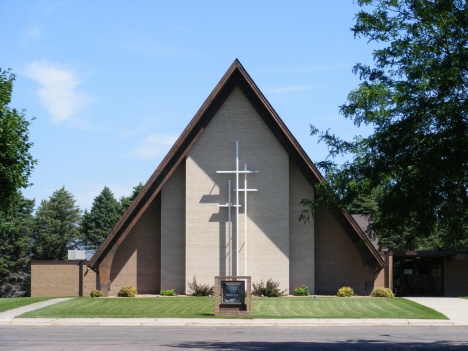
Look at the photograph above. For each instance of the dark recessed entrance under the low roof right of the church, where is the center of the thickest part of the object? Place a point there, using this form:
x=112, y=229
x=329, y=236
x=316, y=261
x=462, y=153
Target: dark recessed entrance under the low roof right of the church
x=418, y=276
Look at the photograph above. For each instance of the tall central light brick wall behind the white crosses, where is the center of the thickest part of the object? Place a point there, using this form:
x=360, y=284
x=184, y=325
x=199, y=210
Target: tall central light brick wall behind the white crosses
x=268, y=209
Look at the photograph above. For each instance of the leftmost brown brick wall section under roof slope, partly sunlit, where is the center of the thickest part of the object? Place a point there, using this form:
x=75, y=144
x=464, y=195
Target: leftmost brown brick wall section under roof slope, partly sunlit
x=137, y=261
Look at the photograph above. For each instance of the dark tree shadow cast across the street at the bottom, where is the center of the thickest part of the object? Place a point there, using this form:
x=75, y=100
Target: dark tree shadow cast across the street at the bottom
x=345, y=345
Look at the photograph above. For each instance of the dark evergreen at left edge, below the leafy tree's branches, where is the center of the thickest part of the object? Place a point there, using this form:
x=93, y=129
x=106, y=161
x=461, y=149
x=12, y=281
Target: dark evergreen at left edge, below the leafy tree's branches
x=16, y=238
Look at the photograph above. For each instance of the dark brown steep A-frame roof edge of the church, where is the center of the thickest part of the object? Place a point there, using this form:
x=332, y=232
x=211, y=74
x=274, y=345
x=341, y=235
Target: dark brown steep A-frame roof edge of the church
x=235, y=76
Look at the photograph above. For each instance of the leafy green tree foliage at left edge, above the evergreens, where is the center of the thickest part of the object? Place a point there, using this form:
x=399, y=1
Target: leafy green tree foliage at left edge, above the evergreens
x=16, y=163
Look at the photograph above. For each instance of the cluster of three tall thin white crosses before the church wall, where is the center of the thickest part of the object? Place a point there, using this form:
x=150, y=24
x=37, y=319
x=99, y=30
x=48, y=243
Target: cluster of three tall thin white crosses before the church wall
x=237, y=205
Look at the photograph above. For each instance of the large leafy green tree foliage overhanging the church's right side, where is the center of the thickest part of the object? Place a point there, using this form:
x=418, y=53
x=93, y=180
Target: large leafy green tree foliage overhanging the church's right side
x=415, y=98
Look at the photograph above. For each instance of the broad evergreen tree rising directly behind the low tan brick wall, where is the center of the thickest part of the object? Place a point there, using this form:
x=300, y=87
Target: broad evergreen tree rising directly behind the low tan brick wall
x=57, y=227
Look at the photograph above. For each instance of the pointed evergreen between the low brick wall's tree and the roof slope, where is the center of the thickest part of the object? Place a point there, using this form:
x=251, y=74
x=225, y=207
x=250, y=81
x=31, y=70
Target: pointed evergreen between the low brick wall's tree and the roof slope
x=99, y=222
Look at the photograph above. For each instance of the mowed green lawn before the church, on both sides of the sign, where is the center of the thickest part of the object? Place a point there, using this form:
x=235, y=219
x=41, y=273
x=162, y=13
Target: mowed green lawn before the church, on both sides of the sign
x=200, y=307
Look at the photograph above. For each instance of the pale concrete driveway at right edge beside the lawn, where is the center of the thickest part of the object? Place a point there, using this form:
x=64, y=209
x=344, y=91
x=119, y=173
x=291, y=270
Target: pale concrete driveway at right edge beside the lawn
x=454, y=308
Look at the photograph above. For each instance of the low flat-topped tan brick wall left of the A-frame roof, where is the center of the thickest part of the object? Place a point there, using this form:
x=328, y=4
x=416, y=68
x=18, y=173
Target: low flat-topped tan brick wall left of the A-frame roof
x=55, y=279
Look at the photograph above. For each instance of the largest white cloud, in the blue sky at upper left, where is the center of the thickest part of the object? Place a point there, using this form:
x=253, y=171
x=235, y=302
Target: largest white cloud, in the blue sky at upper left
x=58, y=92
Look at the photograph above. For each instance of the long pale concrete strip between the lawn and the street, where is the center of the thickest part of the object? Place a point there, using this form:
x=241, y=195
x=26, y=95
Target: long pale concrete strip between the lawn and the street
x=226, y=322
